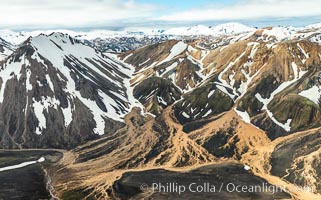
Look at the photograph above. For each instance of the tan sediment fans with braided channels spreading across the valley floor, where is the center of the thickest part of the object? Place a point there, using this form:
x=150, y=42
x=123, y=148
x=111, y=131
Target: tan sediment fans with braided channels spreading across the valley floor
x=115, y=167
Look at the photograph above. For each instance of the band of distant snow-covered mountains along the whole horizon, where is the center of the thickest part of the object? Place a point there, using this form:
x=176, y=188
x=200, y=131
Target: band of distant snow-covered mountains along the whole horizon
x=122, y=41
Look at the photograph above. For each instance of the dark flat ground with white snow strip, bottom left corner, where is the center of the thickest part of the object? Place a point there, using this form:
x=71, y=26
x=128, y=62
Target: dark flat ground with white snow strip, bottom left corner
x=26, y=182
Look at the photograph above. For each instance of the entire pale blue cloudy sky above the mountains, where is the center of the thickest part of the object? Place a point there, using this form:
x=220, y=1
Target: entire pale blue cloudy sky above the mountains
x=119, y=14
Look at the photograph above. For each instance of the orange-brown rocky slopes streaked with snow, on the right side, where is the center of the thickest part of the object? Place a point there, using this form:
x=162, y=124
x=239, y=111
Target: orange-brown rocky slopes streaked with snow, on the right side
x=269, y=79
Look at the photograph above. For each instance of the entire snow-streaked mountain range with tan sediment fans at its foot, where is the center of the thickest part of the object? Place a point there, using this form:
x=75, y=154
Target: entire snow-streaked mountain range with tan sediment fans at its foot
x=181, y=100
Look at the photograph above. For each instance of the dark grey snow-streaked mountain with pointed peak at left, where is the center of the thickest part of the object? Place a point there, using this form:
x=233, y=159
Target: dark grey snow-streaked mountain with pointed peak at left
x=57, y=92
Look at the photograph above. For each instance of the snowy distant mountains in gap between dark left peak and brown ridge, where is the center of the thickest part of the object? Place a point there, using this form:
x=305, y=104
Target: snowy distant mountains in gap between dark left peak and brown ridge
x=124, y=41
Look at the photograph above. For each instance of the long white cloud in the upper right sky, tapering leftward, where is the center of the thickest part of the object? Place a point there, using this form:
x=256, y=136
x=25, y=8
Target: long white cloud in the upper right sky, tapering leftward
x=250, y=9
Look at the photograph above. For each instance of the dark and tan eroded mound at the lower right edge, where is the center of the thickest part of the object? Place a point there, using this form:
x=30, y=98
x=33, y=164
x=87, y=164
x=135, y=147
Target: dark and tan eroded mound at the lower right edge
x=298, y=161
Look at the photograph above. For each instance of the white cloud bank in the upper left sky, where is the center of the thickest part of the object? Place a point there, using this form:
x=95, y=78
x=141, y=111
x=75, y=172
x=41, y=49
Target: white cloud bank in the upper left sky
x=66, y=13
